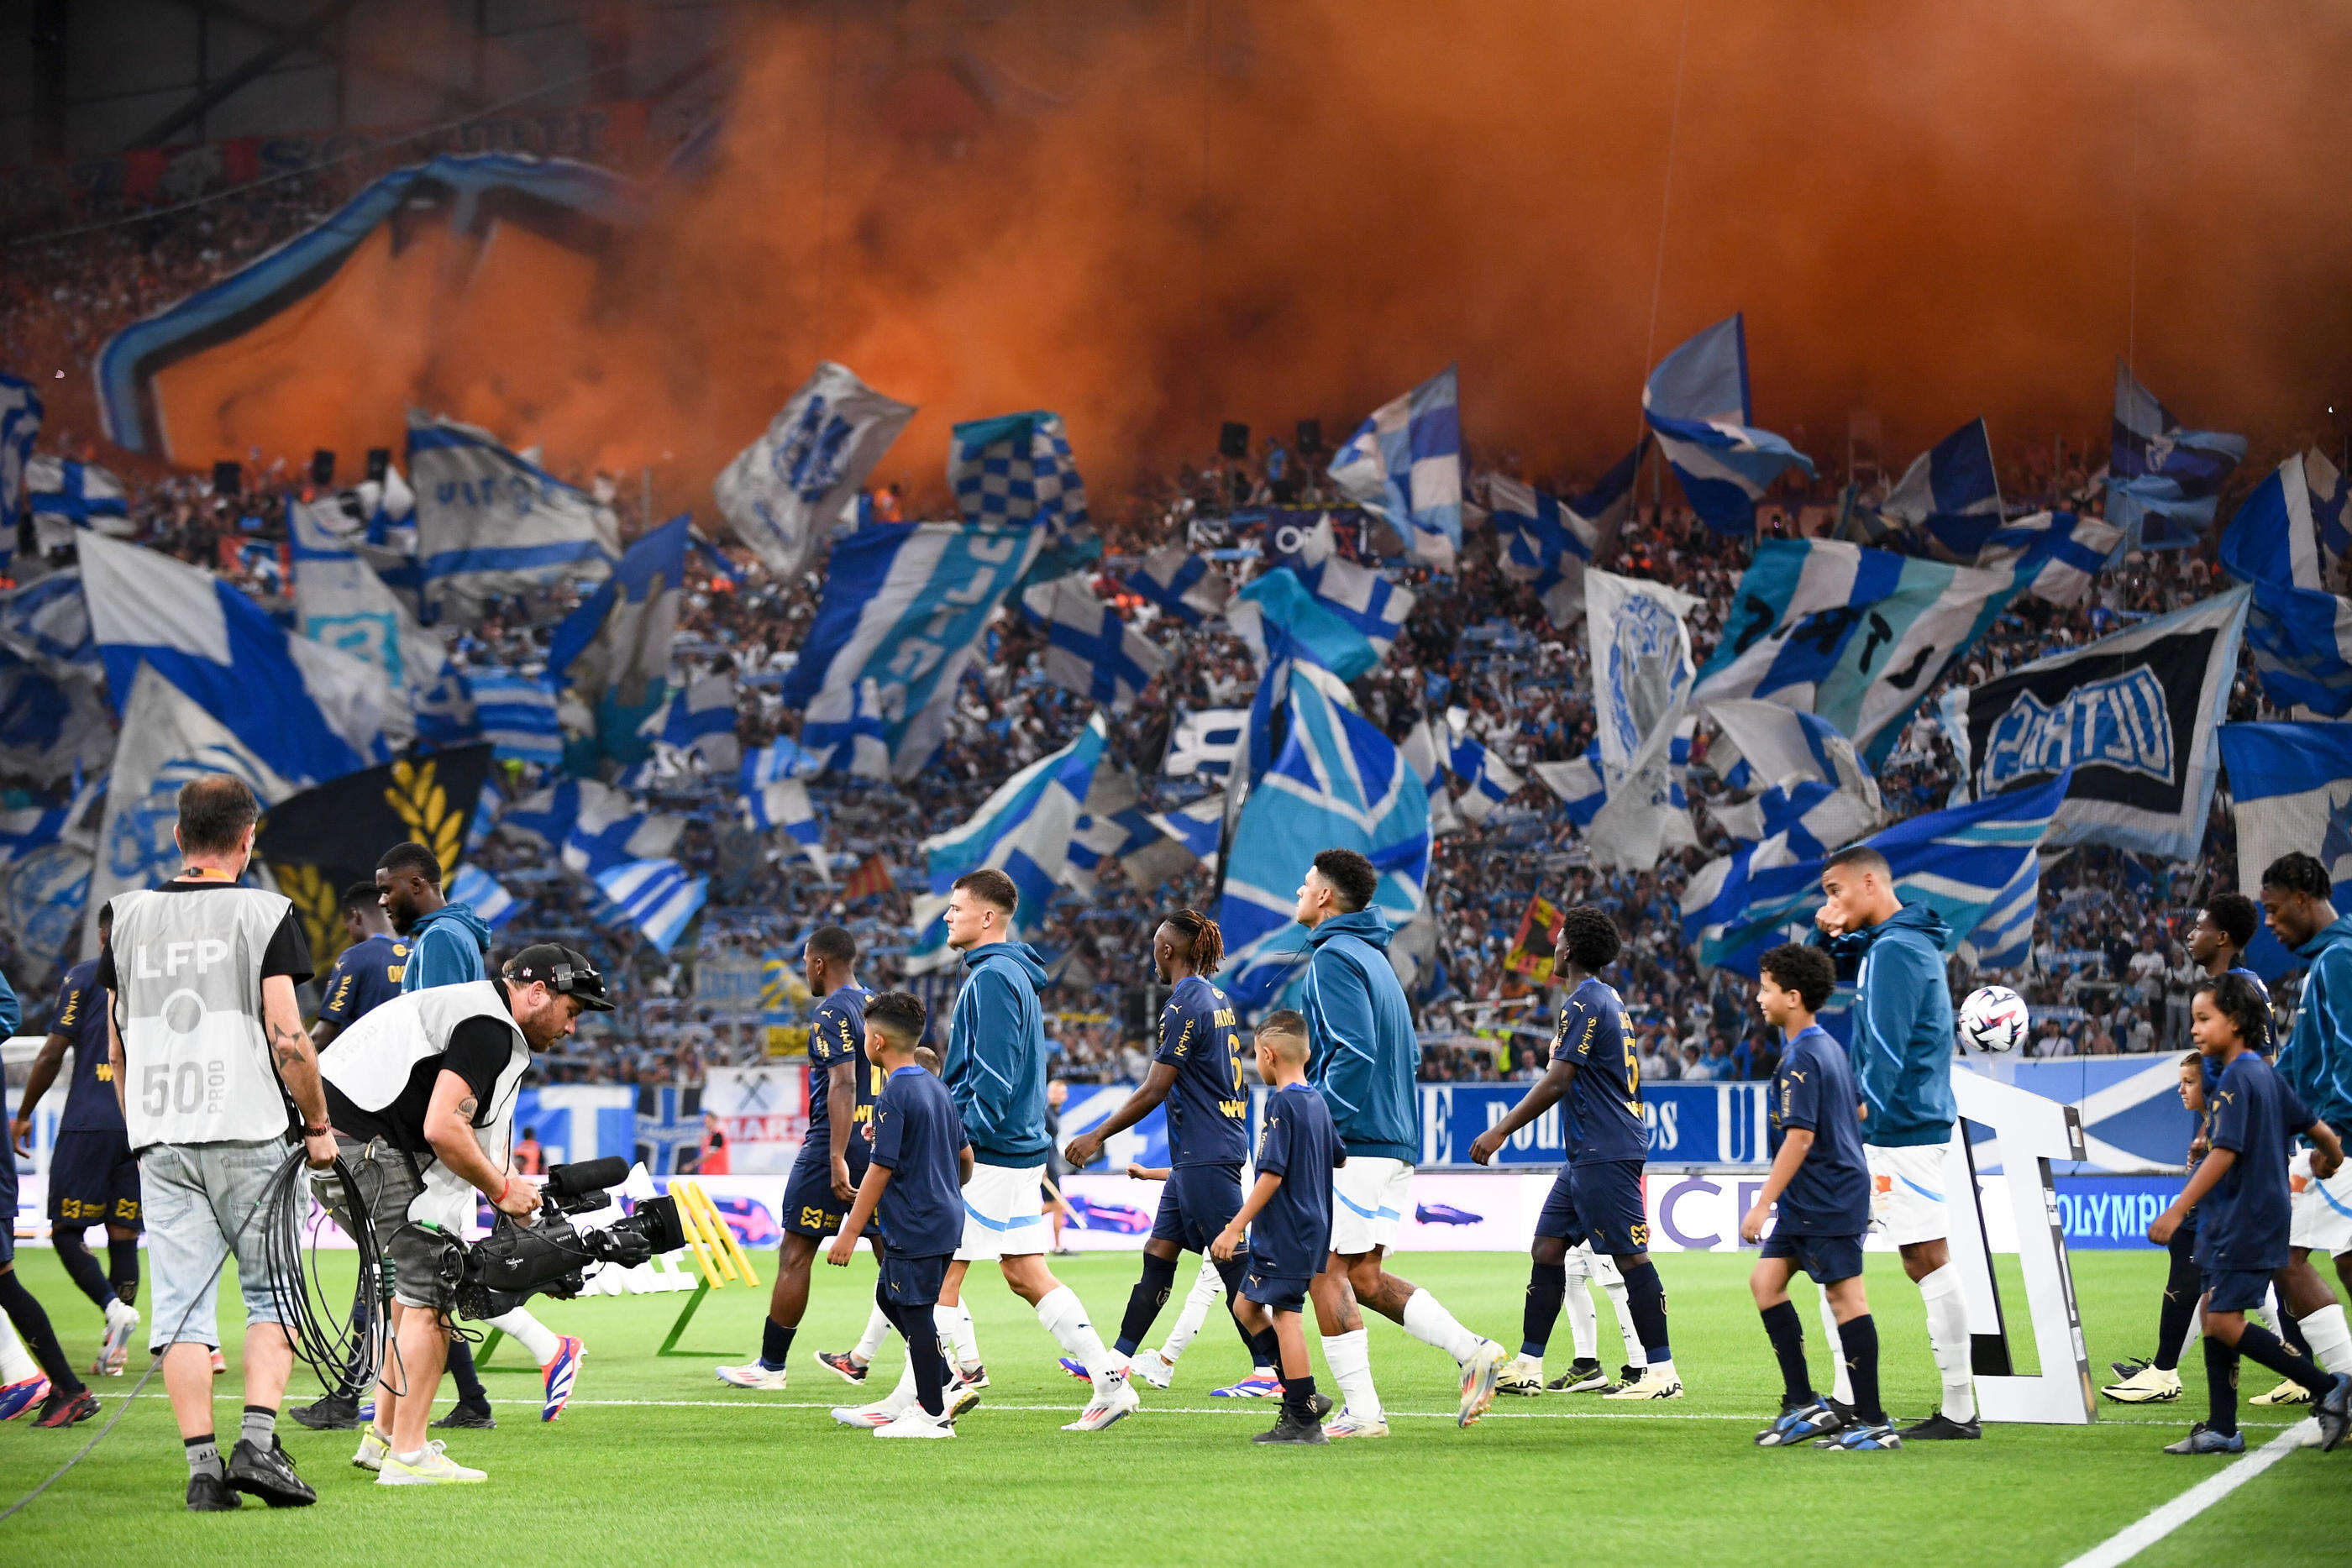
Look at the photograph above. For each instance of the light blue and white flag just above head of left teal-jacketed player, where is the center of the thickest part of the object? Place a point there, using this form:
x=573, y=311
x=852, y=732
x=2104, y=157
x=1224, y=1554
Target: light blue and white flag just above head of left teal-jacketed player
x=1024, y=831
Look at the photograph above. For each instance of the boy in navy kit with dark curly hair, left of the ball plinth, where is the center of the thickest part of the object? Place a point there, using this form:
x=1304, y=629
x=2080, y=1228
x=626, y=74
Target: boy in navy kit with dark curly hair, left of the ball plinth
x=1822, y=1181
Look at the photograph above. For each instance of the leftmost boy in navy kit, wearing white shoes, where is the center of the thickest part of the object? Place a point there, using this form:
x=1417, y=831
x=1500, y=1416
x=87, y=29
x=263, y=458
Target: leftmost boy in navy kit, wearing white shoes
x=916, y=1179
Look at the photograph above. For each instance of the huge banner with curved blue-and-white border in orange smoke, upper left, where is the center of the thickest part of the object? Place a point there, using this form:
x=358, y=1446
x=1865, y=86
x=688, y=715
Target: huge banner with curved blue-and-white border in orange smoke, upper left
x=328, y=340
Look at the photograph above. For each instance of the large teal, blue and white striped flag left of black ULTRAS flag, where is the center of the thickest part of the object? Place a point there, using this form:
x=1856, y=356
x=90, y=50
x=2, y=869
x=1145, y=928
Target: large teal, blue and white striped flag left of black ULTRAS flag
x=1850, y=634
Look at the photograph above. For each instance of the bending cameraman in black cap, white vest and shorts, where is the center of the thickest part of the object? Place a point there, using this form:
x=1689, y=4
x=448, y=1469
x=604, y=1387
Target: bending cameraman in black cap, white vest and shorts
x=422, y=1097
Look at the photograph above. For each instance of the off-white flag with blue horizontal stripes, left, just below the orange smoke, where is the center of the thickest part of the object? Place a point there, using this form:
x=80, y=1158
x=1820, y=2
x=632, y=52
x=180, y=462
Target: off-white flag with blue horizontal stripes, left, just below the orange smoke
x=490, y=523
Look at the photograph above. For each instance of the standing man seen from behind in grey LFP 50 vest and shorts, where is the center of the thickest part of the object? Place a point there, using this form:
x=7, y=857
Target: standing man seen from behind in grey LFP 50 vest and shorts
x=206, y=1045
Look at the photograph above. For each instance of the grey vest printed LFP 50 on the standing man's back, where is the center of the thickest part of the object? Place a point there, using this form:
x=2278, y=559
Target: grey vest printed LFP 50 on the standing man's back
x=196, y=1057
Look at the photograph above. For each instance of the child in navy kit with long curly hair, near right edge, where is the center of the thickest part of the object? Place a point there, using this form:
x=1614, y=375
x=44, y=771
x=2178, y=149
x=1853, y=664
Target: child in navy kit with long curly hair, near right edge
x=2243, y=1205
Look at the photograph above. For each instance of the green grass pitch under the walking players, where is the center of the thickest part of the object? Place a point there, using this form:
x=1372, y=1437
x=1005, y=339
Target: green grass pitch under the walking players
x=683, y=1470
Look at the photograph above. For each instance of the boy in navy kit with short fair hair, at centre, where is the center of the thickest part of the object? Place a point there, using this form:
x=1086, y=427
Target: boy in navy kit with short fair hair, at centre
x=1290, y=1221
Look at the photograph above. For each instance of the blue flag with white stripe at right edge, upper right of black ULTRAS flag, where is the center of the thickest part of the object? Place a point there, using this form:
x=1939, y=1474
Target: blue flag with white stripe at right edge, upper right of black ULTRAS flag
x=2299, y=634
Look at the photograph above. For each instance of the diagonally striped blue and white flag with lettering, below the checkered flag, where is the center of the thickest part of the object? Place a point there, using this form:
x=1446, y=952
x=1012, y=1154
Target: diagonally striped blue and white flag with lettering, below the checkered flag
x=904, y=608
